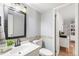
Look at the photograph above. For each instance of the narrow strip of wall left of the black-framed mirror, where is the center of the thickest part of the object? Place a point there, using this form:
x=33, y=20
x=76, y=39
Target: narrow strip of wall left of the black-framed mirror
x=2, y=35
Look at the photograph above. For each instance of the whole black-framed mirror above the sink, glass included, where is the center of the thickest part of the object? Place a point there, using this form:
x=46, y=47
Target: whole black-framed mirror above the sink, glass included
x=14, y=23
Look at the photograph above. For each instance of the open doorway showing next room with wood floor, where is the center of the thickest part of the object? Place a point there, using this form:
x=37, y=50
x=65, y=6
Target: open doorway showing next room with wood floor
x=65, y=30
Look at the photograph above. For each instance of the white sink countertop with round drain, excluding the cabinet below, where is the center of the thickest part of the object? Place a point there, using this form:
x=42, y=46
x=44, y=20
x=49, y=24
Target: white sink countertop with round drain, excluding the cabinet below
x=22, y=50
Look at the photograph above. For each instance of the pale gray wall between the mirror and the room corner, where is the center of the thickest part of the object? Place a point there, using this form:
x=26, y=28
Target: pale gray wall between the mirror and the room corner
x=33, y=22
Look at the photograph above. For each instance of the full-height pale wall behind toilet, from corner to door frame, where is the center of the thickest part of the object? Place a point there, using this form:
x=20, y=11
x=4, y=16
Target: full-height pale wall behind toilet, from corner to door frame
x=47, y=30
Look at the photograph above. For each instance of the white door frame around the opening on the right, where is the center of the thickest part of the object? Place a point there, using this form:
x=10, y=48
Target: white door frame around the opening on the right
x=76, y=25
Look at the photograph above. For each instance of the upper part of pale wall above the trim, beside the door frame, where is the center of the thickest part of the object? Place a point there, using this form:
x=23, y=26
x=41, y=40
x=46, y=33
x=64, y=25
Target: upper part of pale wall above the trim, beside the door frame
x=46, y=23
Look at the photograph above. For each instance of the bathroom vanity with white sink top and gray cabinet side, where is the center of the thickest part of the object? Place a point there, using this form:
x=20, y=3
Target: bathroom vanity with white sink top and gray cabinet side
x=26, y=49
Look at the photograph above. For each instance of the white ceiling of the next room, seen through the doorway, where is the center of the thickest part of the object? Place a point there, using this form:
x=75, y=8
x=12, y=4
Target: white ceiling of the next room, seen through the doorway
x=68, y=12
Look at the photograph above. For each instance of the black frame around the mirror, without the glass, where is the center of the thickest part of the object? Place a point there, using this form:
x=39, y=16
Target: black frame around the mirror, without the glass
x=6, y=23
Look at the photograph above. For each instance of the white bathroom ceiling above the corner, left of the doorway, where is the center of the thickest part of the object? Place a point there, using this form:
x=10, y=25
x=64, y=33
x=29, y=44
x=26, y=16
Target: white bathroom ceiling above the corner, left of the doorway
x=43, y=7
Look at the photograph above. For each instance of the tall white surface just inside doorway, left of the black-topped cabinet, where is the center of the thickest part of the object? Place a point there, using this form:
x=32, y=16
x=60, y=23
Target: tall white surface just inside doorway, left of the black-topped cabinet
x=59, y=28
